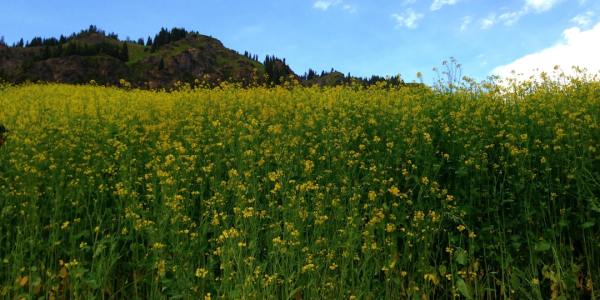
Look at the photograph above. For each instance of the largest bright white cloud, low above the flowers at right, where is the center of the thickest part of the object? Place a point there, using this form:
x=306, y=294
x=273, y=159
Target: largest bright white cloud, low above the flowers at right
x=578, y=48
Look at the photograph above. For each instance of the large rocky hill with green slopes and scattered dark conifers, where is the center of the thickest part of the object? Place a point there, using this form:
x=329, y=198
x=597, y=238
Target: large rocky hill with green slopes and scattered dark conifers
x=94, y=55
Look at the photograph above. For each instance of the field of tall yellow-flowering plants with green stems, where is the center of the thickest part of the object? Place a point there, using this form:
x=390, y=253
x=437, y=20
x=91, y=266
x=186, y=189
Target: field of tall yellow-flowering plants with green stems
x=301, y=193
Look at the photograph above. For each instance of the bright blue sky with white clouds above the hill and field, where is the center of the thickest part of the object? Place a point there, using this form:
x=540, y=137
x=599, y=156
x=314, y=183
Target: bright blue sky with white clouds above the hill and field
x=360, y=37
